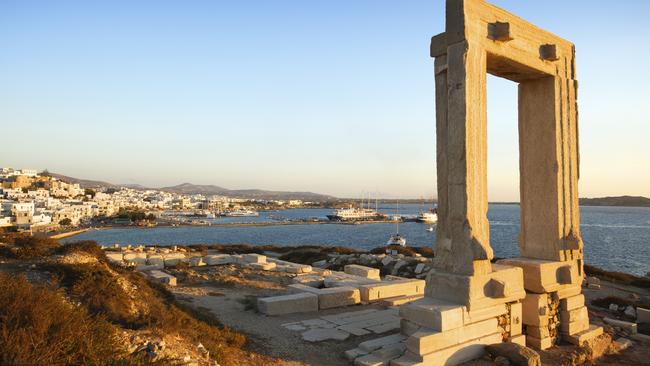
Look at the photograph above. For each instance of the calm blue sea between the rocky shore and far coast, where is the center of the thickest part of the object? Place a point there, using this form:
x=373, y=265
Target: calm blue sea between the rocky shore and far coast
x=616, y=238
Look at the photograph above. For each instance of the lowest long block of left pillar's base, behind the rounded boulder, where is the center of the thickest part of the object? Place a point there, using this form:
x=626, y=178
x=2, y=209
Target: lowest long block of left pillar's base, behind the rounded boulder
x=459, y=353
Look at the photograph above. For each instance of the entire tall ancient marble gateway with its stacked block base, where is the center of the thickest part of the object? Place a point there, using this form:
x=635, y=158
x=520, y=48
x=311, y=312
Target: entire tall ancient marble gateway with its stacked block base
x=534, y=299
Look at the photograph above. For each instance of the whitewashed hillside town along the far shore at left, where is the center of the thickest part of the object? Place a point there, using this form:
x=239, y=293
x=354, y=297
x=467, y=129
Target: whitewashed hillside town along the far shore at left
x=38, y=202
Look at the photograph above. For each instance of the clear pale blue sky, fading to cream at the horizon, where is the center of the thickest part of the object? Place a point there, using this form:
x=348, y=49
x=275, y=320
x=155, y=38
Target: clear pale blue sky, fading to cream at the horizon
x=326, y=96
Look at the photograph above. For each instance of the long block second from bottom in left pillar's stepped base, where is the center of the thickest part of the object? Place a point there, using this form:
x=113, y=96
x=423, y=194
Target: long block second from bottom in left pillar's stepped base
x=426, y=340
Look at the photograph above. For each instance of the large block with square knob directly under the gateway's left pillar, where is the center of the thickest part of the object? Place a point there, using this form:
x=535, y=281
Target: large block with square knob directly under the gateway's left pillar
x=504, y=284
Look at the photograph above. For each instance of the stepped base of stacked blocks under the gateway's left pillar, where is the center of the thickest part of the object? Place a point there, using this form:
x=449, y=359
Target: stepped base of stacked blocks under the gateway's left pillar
x=460, y=315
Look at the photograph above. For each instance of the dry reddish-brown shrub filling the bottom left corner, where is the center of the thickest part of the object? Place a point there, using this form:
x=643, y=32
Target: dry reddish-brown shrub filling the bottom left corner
x=37, y=327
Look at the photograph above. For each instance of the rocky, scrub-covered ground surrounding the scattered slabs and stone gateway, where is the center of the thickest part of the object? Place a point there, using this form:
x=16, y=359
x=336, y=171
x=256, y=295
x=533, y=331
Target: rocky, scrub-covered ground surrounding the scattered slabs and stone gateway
x=184, y=324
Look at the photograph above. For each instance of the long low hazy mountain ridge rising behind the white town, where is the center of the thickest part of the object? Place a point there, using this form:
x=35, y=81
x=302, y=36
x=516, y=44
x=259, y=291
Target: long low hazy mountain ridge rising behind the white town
x=208, y=190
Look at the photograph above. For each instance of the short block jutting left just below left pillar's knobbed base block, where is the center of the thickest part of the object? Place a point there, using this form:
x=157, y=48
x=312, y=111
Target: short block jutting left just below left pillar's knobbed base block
x=432, y=313
